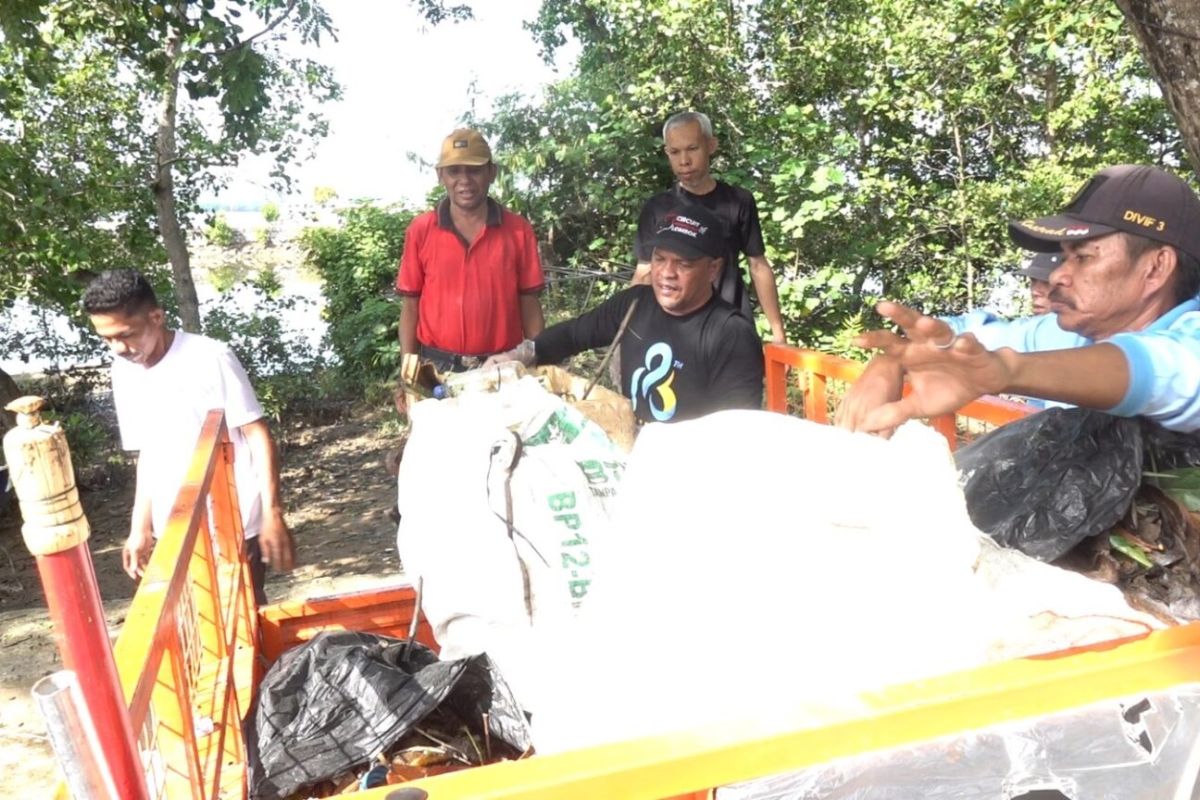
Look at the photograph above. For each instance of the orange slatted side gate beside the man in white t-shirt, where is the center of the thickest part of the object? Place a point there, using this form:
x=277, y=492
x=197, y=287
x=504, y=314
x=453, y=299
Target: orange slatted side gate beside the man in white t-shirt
x=187, y=654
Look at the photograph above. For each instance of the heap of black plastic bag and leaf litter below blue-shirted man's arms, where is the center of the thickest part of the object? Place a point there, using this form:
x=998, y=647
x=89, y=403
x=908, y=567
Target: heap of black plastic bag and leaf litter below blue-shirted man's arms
x=1117, y=500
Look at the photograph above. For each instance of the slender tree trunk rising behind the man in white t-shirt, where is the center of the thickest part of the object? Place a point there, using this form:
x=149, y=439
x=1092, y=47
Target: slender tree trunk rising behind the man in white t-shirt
x=165, y=194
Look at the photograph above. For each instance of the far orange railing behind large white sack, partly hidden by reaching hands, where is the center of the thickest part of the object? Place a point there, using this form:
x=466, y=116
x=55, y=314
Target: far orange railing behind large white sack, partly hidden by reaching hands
x=814, y=370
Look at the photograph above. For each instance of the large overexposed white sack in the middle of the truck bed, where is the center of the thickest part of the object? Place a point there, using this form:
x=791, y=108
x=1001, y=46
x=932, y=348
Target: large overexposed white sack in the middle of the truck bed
x=771, y=569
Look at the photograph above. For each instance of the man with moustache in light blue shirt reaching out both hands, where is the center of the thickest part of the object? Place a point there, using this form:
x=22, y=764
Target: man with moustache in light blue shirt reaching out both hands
x=1129, y=285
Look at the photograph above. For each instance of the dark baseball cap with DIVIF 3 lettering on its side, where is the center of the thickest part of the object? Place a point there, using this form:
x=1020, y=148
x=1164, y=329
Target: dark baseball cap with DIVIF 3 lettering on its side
x=1143, y=201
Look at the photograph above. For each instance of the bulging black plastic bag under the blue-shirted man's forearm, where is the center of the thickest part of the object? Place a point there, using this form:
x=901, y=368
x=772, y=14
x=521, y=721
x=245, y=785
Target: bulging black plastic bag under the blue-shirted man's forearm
x=1049, y=482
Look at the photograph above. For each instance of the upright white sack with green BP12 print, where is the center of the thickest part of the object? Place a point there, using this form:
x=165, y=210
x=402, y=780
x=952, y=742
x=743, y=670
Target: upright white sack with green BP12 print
x=505, y=501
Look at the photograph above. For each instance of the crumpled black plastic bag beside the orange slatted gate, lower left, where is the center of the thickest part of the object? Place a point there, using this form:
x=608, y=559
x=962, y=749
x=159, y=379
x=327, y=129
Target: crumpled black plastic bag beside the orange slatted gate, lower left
x=335, y=702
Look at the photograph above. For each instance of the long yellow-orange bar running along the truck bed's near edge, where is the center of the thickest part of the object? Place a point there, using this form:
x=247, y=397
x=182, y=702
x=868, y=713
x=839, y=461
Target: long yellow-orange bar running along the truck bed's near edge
x=694, y=761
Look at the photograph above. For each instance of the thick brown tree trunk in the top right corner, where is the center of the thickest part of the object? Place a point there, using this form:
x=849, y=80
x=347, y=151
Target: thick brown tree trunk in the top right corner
x=1169, y=33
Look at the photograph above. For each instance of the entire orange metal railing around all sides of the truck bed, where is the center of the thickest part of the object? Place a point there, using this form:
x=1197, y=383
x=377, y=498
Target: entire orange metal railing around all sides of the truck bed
x=190, y=654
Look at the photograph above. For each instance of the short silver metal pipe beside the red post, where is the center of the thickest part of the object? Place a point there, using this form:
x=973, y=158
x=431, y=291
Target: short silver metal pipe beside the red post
x=74, y=737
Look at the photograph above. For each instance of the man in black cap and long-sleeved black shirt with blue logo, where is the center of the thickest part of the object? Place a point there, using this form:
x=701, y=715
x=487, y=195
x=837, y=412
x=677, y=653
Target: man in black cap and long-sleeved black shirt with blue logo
x=685, y=352
